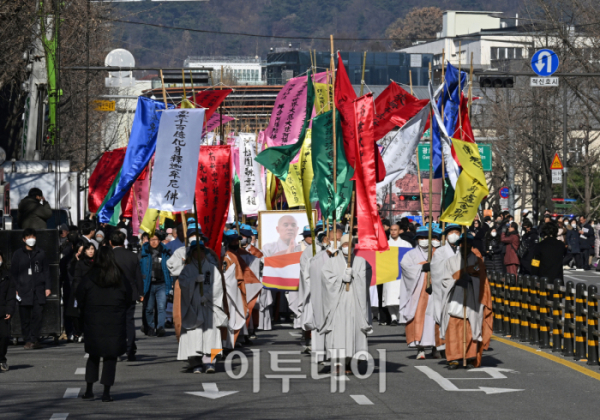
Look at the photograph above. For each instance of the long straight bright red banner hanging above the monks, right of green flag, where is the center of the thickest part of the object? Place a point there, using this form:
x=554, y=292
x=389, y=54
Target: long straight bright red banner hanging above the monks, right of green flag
x=370, y=230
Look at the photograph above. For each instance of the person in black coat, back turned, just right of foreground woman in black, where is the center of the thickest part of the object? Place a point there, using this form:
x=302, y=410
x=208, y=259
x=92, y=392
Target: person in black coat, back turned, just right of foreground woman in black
x=128, y=263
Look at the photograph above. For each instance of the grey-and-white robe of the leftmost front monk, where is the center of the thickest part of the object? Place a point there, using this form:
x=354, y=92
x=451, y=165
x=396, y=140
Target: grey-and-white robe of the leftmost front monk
x=201, y=317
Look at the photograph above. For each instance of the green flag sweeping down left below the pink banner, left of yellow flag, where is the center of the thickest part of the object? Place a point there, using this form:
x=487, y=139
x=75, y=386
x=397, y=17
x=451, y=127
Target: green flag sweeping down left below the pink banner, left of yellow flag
x=277, y=158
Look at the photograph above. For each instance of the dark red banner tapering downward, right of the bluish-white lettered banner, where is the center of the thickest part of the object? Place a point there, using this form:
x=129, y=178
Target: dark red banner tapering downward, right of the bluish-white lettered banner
x=213, y=192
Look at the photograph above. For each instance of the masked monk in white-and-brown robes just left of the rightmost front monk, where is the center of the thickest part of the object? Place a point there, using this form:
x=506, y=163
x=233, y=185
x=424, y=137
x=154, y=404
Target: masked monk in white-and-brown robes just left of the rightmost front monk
x=414, y=298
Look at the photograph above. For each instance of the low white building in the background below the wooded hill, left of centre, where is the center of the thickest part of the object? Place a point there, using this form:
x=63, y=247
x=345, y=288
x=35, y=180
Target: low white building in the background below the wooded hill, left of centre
x=247, y=70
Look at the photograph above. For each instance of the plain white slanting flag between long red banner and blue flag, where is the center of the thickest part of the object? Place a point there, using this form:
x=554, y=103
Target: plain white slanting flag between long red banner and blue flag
x=398, y=154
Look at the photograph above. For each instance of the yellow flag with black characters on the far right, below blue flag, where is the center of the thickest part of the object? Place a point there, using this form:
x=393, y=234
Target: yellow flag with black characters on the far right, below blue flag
x=471, y=186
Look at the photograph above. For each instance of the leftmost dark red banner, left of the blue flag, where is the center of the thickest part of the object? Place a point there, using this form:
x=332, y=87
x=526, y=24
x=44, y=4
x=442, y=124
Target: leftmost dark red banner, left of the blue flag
x=104, y=175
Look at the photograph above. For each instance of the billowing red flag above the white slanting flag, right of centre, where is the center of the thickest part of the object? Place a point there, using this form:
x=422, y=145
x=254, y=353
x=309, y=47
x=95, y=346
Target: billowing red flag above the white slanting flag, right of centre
x=394, y=107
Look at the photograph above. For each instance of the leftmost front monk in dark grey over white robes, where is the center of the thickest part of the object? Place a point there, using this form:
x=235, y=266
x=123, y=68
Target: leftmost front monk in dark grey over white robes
x=199, y=314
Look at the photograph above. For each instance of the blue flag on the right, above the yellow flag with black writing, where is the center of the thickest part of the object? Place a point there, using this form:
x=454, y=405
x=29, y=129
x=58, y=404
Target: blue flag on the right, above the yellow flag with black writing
x=450, y=101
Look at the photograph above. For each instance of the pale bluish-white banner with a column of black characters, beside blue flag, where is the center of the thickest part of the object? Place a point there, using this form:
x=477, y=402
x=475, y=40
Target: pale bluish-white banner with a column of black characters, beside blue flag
x=176, y=161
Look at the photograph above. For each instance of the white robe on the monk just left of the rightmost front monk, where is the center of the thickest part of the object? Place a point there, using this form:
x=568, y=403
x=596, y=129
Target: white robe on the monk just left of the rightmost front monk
x=413, y=281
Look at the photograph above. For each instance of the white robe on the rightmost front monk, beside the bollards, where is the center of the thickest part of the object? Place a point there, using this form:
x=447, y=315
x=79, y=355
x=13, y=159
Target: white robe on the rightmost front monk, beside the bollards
x=454, y=293
